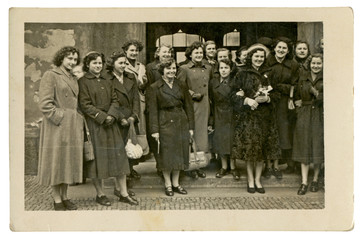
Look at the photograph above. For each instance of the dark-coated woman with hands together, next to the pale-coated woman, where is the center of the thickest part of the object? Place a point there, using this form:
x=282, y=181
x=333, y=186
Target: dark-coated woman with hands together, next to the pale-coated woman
x=98, y=101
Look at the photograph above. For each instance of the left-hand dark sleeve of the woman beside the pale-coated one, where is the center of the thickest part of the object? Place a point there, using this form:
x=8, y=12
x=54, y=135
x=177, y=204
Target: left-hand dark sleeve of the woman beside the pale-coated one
x=86, y=105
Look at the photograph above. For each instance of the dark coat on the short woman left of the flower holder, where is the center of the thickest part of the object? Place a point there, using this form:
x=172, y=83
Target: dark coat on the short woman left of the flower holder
x=221, y=118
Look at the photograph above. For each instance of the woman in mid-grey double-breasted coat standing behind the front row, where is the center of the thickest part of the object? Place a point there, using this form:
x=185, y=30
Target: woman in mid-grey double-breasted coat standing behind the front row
x=197, y=74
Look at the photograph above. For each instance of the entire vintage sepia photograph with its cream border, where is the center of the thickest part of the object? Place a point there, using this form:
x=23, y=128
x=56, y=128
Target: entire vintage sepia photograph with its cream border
x=153, y=116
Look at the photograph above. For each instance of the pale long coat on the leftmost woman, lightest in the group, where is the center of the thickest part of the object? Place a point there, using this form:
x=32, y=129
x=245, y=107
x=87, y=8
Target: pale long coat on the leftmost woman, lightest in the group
x=61, y=133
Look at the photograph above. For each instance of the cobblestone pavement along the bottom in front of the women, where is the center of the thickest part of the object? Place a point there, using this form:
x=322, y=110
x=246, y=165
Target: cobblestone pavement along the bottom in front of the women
x=38, y=198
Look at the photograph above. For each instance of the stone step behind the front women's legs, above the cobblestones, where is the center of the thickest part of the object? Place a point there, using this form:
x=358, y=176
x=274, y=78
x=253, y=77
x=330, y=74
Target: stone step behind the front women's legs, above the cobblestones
x=150, y=179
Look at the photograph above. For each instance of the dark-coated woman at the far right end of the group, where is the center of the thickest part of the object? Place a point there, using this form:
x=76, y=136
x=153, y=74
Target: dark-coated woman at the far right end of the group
x=308, y=144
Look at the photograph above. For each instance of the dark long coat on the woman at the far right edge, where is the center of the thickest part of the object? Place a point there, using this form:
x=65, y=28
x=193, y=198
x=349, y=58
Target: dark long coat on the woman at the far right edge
x=308, y=143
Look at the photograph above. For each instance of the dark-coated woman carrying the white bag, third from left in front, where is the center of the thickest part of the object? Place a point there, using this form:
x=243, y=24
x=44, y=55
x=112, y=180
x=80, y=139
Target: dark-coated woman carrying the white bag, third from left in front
x=125, y=86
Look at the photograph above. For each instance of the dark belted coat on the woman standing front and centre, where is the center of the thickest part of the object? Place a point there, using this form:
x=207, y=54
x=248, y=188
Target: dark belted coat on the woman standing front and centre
x=172, y=116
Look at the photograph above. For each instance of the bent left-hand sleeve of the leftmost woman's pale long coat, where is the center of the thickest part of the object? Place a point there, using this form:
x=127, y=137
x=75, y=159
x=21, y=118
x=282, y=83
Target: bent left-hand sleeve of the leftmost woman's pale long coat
x=47, y=99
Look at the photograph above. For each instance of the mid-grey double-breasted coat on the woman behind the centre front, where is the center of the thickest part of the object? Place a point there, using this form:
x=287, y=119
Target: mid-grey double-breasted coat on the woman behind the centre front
x=197, y=77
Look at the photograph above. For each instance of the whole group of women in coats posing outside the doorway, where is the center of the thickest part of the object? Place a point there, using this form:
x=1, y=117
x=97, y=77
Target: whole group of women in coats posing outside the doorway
x=265, y=106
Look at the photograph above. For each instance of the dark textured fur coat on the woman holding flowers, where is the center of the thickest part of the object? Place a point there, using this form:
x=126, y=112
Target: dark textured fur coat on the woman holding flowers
x=256, y=136
